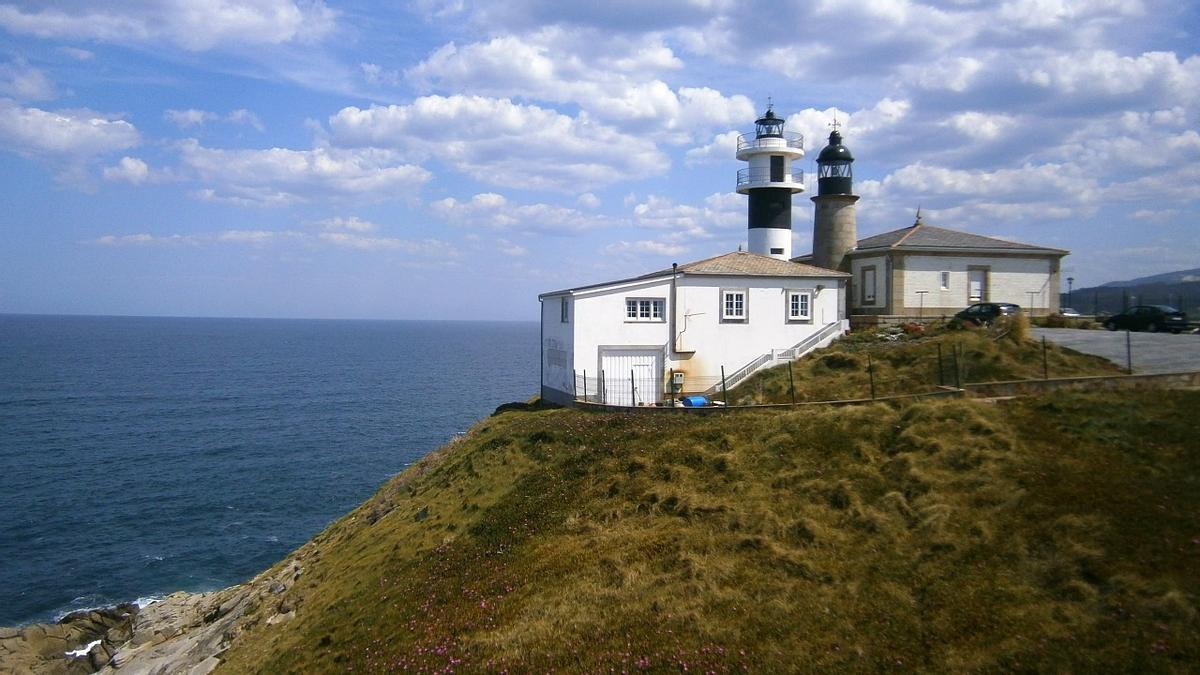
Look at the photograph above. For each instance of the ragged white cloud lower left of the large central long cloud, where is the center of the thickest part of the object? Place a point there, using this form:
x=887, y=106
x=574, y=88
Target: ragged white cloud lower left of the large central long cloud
x=285, y=176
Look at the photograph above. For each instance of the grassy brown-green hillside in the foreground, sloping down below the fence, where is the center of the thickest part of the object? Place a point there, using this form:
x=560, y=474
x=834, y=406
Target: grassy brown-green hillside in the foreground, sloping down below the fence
x=1055, y=535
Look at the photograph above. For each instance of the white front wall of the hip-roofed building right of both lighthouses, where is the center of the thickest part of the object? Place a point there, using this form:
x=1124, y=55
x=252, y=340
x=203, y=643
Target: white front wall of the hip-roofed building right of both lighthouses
x=1011, y=280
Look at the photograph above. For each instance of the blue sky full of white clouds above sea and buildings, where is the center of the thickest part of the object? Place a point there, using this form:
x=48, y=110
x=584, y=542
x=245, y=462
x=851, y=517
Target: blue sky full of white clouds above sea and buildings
x=451, y=160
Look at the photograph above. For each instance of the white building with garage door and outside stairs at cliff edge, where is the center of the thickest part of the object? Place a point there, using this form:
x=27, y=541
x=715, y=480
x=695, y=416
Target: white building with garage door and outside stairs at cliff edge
x=625, y=343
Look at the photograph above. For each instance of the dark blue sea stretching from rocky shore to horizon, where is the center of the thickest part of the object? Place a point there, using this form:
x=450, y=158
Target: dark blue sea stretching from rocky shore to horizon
x=140, y=457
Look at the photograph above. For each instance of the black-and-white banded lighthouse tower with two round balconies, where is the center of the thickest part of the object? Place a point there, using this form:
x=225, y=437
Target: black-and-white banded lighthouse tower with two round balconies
x=771, y=183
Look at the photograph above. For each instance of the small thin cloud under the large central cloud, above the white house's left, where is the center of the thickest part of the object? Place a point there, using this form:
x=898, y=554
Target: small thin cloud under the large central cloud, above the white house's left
x=495, y=212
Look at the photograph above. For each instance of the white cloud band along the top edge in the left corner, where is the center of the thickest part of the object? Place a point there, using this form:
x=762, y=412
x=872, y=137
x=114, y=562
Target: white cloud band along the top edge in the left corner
x=195, y=26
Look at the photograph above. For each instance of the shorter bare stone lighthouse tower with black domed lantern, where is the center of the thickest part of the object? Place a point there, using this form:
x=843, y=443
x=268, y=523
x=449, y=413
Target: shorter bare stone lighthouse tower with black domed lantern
x=836, y=223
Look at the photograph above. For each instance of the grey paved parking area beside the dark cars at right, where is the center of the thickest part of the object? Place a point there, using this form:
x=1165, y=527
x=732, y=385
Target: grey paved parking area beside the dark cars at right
x=1153, y=353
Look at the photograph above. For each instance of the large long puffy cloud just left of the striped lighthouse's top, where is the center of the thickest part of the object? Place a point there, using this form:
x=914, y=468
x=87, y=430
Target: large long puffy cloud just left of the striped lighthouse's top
x=503, y=144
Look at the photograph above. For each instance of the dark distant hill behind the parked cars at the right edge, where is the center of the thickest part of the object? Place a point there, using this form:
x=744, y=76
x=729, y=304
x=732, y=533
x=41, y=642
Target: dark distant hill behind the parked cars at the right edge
x=1177, y=289
